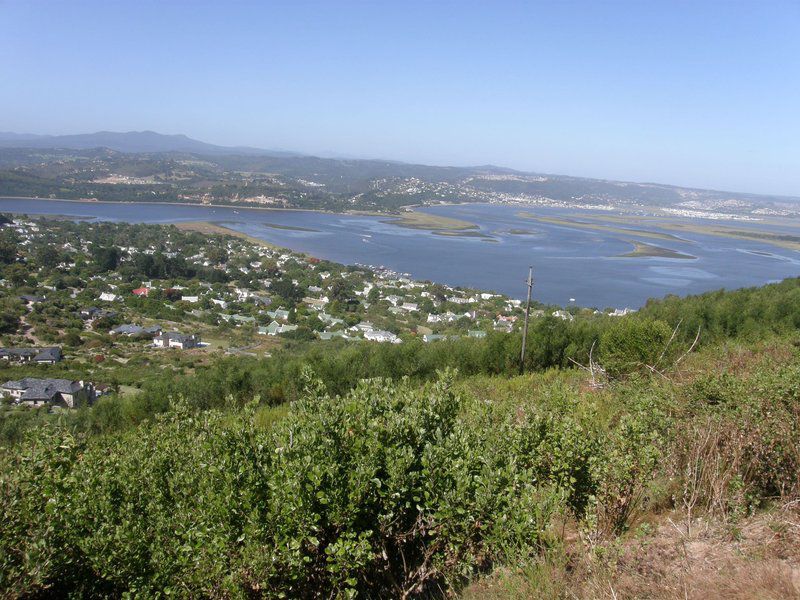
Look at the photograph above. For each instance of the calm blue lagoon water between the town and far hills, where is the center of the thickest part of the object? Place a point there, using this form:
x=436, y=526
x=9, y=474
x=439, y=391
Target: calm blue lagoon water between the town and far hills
x=568, y=262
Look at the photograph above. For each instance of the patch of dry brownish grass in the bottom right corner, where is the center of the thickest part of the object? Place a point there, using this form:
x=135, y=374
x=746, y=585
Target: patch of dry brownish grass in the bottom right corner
x=758, y=560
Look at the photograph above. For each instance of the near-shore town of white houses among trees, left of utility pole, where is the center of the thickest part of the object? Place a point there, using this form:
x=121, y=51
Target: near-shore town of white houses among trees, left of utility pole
x=92, y=308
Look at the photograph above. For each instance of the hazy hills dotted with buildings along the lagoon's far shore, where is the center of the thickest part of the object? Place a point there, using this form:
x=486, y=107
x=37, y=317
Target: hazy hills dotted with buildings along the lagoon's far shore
x=147, y=166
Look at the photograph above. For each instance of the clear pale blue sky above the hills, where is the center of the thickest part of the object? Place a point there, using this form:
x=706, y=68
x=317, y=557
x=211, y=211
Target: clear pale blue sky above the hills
x=697, y=93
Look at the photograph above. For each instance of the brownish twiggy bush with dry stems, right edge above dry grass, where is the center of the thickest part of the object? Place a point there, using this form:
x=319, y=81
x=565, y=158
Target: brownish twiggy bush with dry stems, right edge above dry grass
x=740, y=447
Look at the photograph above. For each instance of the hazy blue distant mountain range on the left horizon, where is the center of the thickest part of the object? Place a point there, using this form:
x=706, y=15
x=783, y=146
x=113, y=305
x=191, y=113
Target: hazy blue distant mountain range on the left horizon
x=130, y=141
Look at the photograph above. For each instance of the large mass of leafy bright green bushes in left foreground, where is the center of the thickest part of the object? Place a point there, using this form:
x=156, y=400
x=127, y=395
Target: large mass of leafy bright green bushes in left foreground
x=392, y=489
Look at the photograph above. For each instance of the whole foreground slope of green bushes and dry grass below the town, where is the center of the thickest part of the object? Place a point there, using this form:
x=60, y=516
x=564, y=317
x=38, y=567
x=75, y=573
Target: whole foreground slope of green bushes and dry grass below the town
x=407, y=488
